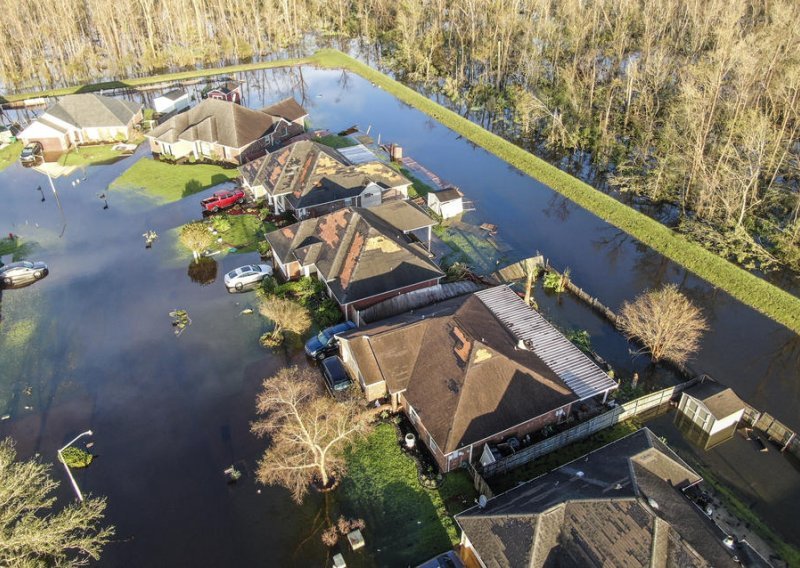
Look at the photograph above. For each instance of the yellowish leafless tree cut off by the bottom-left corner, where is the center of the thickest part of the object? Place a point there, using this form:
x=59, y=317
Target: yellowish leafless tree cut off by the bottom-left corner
x=31, y=532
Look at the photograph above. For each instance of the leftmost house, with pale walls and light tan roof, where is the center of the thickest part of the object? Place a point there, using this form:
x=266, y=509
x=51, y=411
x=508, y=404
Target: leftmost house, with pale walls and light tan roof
x=83, y=119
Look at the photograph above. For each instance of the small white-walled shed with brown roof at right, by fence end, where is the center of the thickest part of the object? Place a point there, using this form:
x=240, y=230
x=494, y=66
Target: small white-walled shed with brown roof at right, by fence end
x=713, y=408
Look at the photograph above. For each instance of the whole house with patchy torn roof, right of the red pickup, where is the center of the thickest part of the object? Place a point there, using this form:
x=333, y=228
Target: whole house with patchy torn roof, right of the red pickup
x=311, y=179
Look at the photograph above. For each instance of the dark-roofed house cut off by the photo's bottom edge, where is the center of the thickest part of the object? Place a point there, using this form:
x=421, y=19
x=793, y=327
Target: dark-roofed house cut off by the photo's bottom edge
x=621, y=505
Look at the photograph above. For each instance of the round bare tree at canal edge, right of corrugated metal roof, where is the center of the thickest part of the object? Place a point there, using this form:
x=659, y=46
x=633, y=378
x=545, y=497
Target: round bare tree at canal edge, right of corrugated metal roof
x=666, y=322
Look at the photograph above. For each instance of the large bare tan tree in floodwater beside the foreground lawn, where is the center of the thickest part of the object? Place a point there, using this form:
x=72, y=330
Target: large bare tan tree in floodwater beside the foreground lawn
x=308, y=431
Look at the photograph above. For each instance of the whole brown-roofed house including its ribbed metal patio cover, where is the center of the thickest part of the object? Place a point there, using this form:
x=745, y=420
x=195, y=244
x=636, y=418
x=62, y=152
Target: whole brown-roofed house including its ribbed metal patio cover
x=472, y=371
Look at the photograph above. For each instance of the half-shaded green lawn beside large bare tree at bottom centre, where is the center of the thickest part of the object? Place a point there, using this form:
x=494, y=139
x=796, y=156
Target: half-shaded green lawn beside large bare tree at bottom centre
x=407, y=523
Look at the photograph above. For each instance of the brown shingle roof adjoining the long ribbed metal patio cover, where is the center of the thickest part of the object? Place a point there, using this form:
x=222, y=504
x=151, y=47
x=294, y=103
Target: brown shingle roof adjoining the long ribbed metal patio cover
x=461, y=369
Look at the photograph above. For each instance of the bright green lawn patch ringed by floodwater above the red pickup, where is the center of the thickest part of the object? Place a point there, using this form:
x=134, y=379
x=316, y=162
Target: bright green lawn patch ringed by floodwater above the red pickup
x=170, y=182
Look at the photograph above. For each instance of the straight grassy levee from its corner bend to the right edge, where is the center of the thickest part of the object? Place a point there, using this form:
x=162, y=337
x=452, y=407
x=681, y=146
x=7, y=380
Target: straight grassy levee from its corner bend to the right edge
x=768, y=299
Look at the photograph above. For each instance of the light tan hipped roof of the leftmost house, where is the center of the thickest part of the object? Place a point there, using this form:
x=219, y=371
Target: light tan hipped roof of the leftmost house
x=89, y=110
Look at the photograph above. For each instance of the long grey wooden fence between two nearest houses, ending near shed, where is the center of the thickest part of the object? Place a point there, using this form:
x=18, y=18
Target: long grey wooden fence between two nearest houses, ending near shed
x=585, y=429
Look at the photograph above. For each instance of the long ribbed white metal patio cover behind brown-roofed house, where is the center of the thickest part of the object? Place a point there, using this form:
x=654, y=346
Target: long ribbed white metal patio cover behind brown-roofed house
x=580, y=374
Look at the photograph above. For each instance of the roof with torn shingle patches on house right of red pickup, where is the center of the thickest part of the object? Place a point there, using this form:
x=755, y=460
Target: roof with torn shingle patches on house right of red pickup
x=310, y=173
